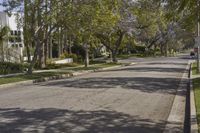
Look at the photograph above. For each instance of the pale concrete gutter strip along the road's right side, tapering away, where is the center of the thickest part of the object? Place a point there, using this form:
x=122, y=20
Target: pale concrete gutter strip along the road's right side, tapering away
x=176, y=118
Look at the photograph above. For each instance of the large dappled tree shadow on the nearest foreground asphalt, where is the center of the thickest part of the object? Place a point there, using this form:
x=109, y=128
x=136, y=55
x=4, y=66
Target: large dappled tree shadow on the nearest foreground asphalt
x=51, y=120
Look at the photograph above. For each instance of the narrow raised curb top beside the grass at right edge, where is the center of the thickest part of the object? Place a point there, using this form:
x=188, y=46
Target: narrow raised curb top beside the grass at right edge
x=193, y=115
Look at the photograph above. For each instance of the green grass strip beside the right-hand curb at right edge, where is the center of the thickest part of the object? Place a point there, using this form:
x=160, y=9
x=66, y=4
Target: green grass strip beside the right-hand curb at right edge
x=196, y=86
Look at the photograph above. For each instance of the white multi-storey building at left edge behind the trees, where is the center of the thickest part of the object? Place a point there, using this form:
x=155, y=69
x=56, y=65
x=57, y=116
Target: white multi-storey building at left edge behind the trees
x=13, y=46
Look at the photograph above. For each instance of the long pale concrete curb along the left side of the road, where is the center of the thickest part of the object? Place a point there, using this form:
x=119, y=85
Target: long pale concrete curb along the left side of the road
x=63, y=76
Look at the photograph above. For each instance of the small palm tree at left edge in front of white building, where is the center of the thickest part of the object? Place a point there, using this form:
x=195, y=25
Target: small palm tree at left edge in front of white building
x=4, y=30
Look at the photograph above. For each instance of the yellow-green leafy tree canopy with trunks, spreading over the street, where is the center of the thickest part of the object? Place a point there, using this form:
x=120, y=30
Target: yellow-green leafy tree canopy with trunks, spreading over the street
x=116, y=24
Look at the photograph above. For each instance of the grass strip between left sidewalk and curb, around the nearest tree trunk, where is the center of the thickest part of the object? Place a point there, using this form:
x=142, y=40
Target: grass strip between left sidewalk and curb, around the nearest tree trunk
x=25, y=77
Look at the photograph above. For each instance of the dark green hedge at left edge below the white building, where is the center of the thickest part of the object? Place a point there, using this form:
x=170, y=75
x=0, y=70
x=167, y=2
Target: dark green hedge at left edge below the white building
x=9, y=68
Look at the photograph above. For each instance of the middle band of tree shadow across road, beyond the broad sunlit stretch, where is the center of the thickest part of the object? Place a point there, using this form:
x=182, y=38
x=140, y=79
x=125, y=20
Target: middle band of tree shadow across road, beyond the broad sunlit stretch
x=144, y=84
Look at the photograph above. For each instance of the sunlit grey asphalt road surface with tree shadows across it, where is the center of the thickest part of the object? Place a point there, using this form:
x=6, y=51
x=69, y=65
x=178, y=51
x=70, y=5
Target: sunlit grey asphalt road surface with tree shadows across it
x=132, y=99
